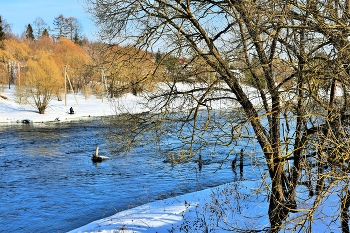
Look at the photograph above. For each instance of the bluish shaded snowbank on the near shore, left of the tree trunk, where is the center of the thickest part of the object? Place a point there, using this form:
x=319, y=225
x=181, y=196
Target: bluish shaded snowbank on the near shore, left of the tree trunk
x=219, y=209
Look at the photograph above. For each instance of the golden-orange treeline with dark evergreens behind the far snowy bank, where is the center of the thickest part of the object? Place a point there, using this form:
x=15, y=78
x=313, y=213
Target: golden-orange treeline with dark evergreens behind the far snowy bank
x=124, y=68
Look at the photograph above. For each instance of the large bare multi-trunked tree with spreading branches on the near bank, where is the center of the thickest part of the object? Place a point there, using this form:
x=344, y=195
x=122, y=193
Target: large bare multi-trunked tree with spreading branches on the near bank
x=299, y=118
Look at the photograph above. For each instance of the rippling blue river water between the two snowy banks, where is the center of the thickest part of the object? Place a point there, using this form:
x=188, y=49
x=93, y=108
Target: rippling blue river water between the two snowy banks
x=48, y=182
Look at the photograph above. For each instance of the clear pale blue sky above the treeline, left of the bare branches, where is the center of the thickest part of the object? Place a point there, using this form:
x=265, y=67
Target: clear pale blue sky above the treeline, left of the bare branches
x=19, y=13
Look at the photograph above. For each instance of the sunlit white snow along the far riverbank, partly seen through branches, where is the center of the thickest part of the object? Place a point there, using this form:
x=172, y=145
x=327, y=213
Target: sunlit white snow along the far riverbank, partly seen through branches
x=11, y=111
